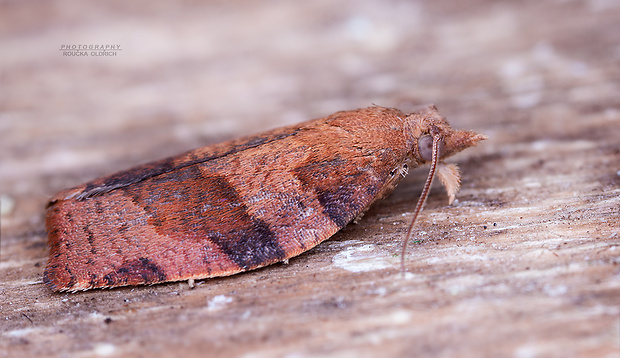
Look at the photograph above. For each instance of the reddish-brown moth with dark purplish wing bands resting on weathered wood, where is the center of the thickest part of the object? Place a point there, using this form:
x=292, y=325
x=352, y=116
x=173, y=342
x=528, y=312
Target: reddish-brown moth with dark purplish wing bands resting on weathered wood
x=243, y=204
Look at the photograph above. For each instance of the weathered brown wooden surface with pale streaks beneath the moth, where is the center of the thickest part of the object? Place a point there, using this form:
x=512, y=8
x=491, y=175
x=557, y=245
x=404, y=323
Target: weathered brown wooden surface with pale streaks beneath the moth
x=524, y=264
